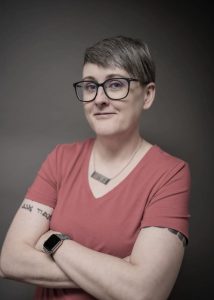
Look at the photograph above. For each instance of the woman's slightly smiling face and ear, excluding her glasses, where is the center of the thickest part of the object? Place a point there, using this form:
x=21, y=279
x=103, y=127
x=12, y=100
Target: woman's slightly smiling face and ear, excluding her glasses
x=115, y=117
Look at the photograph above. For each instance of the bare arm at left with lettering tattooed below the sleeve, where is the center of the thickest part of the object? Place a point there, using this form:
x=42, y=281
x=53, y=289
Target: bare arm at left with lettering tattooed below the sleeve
x=19, y=258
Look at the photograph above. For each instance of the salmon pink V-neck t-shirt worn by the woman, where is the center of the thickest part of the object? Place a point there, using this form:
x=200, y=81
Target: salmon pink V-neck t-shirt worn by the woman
x=154, y=193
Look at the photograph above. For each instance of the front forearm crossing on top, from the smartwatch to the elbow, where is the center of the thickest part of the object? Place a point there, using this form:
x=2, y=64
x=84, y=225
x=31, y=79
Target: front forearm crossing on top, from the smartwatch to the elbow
x=101, y=275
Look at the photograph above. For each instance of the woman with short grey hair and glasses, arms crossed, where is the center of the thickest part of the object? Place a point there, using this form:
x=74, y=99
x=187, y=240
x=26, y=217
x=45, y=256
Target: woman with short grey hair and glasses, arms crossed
x=106, y=218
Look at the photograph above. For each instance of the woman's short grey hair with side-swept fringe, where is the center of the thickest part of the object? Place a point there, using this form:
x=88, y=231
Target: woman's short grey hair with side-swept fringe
x=127, y=53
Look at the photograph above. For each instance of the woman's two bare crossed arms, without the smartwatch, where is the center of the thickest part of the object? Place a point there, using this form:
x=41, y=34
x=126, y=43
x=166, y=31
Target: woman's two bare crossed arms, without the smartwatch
x=149, y=273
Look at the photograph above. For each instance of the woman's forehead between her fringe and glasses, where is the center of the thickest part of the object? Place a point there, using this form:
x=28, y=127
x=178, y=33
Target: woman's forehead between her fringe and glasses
x=97, y=72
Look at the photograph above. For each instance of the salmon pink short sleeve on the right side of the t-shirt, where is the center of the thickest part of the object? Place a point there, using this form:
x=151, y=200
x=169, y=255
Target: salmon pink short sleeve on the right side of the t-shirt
x=169, y=202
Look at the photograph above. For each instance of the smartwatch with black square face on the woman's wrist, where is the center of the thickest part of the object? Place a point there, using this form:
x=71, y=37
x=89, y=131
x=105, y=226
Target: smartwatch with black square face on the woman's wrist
x=54, y=242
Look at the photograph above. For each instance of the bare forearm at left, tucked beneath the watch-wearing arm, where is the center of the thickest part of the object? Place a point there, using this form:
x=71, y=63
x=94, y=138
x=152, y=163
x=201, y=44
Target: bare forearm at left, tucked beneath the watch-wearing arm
x=34, y=267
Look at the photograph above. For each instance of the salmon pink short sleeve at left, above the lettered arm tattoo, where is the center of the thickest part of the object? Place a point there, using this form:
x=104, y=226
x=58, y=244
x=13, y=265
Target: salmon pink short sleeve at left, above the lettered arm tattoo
x=44, y=187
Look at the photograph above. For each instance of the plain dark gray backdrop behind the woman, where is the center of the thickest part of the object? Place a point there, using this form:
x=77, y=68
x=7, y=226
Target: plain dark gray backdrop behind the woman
x=41, y=48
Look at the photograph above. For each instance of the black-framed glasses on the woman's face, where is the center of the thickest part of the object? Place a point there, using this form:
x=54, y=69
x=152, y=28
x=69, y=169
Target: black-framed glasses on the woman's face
x=114, y=88
